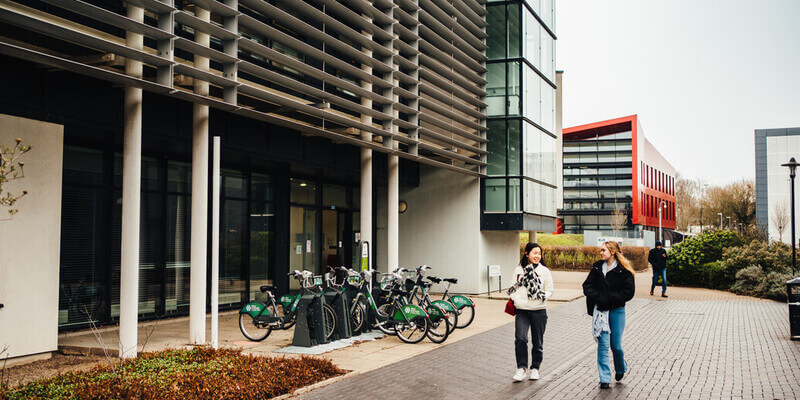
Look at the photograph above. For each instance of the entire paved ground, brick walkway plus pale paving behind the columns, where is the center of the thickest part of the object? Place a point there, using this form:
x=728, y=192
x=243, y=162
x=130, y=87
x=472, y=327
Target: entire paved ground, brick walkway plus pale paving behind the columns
x=697, y=344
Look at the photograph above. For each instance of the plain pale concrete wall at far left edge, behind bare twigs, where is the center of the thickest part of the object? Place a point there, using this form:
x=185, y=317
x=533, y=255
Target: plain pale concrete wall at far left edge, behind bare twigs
x=30, y=243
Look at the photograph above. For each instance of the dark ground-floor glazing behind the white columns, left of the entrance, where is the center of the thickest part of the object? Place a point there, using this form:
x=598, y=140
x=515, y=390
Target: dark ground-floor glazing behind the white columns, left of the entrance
x=91, y=237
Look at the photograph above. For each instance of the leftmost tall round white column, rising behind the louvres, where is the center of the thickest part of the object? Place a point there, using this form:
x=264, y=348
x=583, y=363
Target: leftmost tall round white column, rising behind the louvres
x=131, y=193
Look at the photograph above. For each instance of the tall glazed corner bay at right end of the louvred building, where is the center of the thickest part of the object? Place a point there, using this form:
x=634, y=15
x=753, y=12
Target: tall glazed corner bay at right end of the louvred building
x=521, y=108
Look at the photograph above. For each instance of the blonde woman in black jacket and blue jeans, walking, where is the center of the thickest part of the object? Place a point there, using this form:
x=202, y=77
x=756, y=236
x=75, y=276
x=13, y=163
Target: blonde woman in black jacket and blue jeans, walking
x=608, y=287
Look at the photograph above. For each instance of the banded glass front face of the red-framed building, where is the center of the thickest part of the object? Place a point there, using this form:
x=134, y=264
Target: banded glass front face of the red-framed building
x=598, y=179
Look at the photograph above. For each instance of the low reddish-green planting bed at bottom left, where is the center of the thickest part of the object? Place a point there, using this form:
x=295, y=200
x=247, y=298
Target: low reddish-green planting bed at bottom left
x=198, y=373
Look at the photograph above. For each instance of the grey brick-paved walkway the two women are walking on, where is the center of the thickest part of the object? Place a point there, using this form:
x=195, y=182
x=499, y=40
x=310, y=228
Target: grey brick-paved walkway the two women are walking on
x=675, y=349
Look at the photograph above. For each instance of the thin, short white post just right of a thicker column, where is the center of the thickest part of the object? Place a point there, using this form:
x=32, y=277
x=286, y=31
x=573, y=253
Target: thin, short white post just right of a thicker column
x=215, y=178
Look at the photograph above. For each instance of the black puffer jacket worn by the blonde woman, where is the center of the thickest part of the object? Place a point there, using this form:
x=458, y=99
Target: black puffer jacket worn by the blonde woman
x=610, y=291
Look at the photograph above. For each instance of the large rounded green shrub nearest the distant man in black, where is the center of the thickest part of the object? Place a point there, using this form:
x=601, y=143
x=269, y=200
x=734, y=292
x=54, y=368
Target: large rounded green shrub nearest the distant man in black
x=685, y=259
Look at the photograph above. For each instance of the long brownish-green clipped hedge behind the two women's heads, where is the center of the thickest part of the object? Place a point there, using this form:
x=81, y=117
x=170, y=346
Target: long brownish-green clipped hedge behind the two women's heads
x=582, y=257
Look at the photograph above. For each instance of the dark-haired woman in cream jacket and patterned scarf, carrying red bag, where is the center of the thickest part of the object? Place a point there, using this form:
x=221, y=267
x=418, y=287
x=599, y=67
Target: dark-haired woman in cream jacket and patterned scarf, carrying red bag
x=533, y=286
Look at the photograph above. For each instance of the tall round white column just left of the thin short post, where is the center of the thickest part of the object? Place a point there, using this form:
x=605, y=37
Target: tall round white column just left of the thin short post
x=197, y=292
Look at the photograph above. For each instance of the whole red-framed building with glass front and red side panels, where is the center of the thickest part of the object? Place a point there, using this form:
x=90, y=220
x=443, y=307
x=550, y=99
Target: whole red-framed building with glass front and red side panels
x=610, y=165
